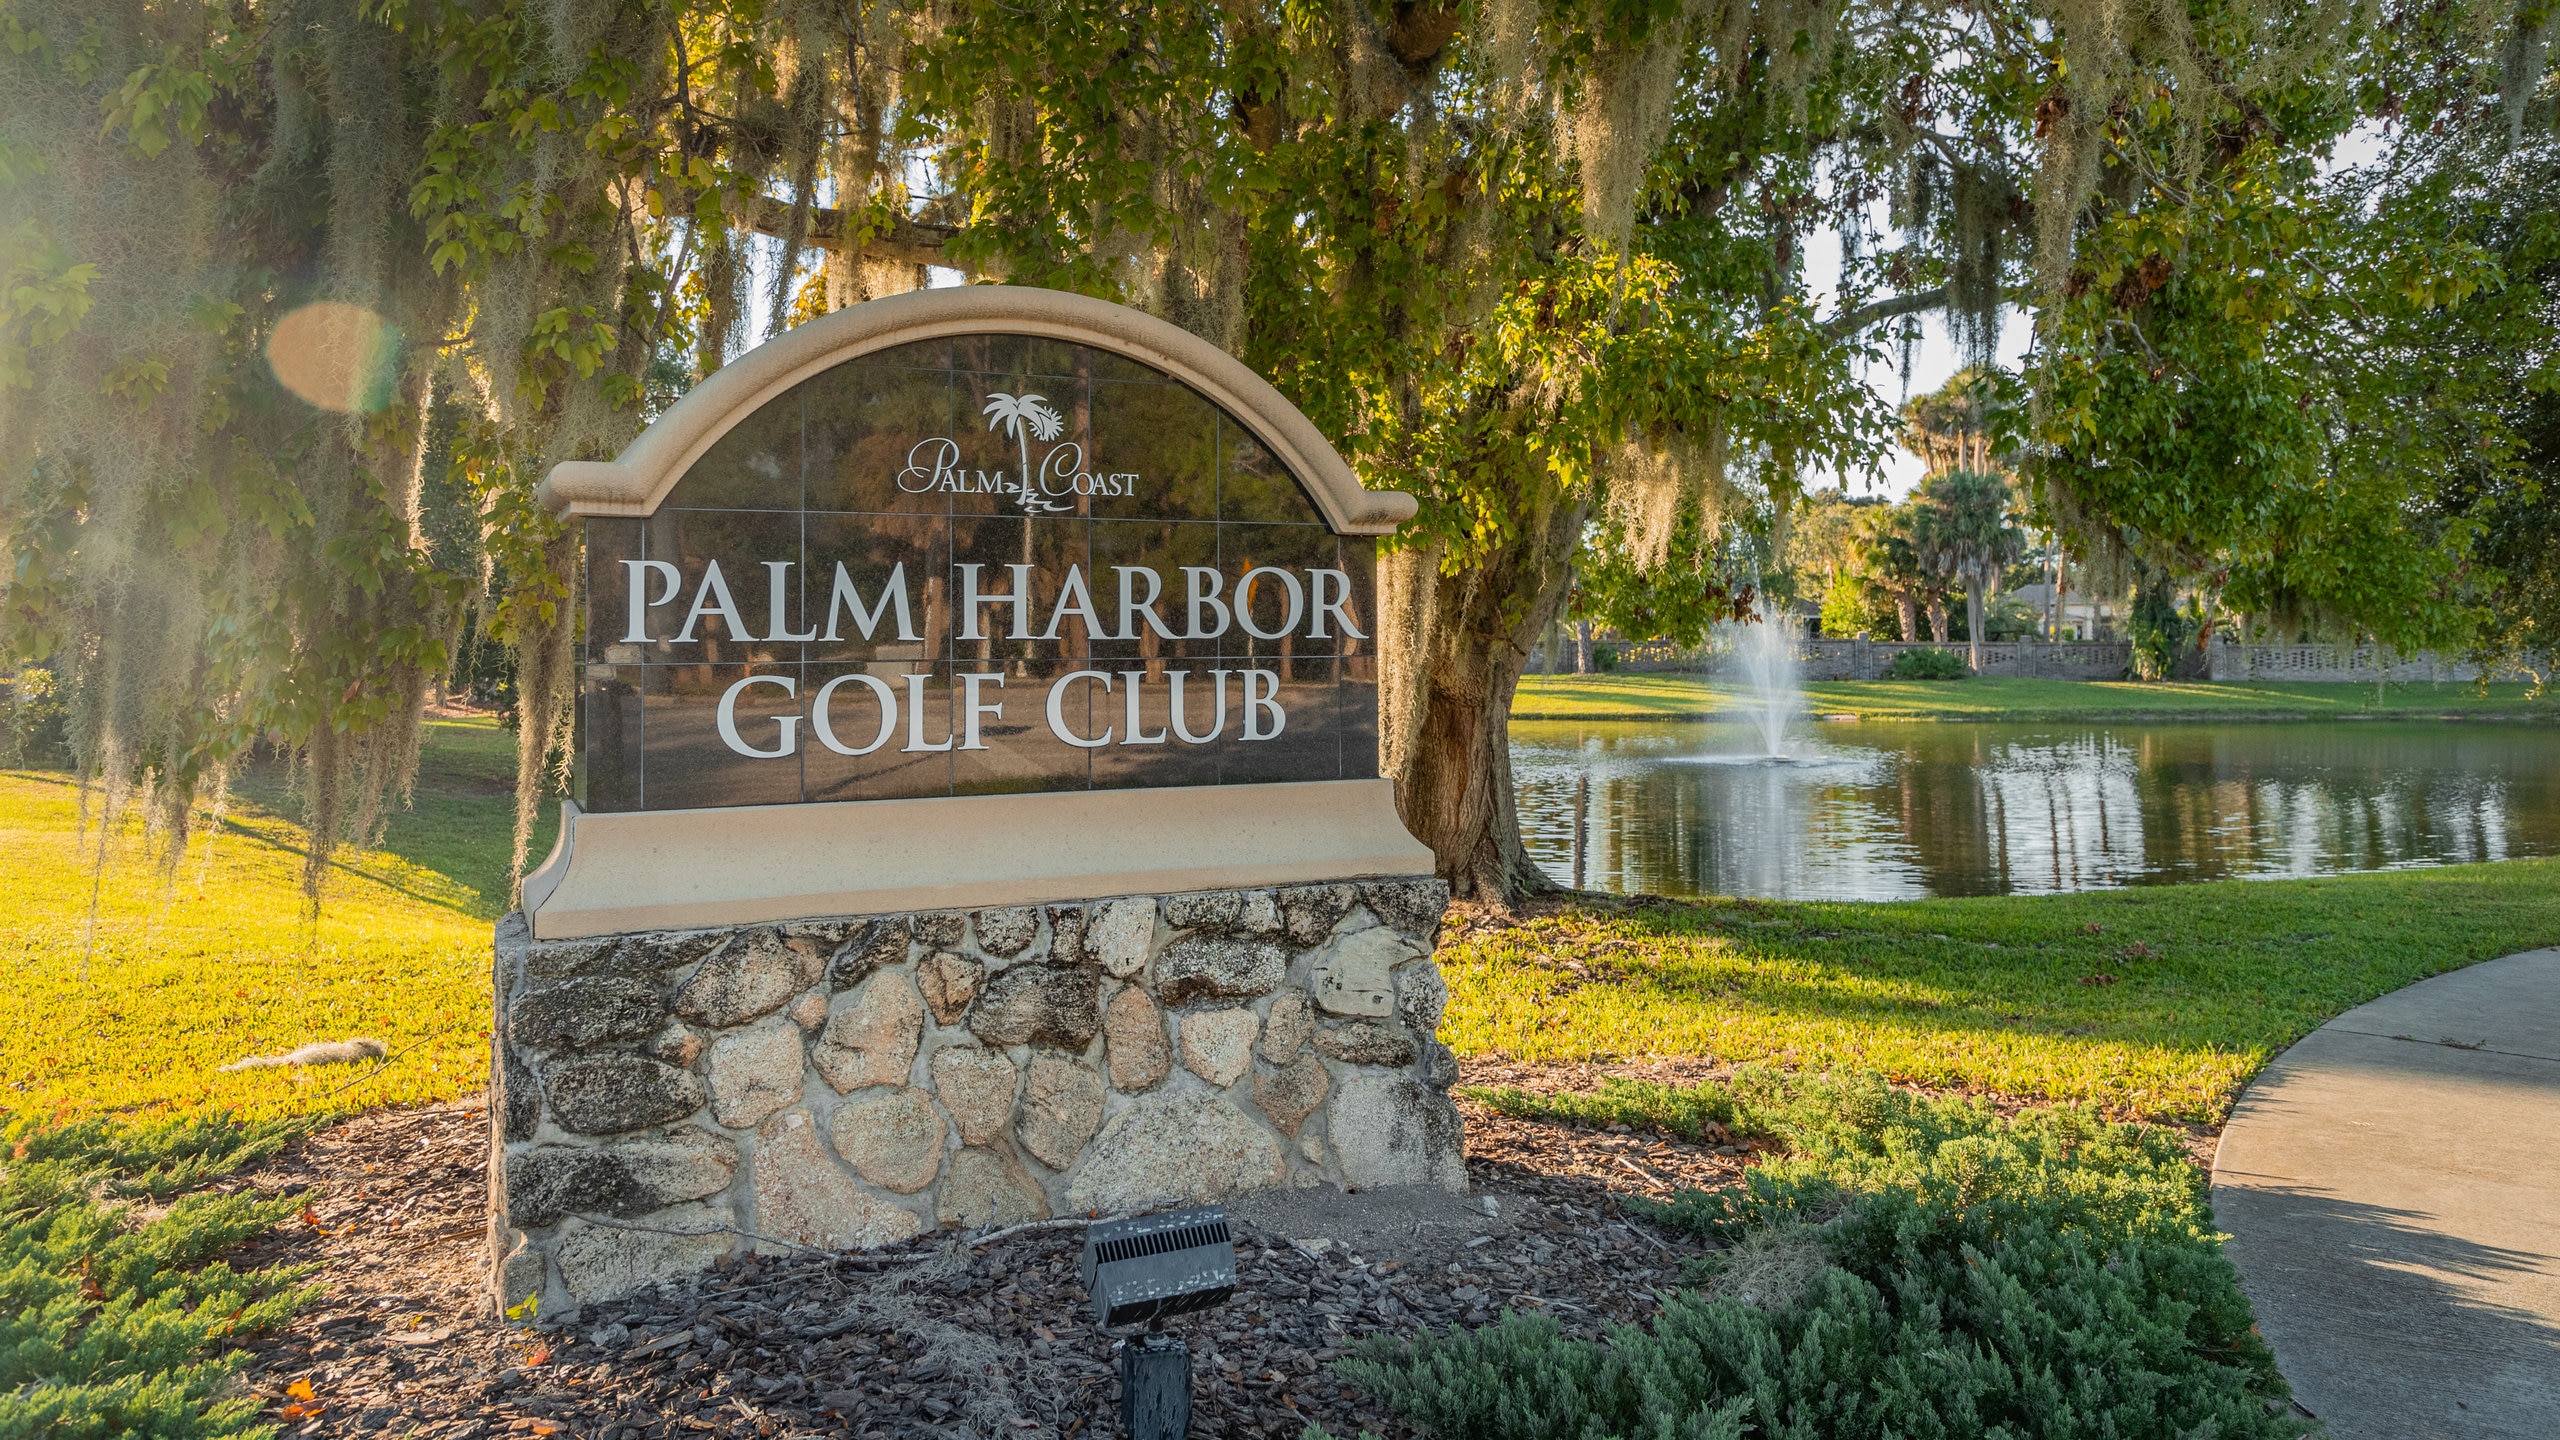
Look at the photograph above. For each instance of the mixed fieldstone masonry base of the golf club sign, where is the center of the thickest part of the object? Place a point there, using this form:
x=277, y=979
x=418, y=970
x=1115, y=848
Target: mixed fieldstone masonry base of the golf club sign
x=680, y=1095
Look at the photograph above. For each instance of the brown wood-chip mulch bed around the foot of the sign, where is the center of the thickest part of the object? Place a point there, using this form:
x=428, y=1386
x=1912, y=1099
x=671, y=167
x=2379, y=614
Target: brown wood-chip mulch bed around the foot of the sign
x=936, y=1339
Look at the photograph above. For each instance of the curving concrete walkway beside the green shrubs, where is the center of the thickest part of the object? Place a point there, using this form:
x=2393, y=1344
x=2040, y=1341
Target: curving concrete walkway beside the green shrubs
x=2392, y=1190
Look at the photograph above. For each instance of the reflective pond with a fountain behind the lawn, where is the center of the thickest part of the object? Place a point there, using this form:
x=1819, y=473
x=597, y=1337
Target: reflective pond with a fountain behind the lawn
x=1898, y=811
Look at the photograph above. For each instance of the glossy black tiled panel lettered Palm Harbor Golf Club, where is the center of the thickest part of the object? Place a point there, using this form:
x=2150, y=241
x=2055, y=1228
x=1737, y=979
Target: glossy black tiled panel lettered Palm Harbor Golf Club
x=964, y=568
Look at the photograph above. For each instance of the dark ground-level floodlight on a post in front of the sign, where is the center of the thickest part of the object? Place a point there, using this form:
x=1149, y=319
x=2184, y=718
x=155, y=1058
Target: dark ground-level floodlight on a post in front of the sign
x=1143, y=1272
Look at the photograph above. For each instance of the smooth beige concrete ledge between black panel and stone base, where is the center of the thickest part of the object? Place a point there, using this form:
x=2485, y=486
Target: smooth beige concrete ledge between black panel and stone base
x=749, y=865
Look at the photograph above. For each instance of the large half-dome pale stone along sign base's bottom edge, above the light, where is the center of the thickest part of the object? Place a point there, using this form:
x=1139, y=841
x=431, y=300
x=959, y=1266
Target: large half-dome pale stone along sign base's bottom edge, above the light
x=1184, y=1147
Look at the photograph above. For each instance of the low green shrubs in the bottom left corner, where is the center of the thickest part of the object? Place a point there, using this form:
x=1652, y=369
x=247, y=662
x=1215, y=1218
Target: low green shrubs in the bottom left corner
x=114, y=1323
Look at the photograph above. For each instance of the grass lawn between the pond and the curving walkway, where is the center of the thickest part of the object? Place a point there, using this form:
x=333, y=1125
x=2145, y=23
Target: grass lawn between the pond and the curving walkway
x=2154, y=1003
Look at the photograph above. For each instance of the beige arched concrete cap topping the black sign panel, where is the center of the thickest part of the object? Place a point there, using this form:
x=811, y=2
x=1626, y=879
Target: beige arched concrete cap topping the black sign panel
x=639, y=480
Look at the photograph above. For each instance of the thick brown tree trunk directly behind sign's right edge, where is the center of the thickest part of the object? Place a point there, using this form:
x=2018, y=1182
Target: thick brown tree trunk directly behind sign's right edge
x=1453, y=650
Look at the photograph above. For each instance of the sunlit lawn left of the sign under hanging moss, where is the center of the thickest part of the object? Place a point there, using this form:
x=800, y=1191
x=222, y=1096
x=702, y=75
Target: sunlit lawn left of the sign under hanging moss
x=221, y=960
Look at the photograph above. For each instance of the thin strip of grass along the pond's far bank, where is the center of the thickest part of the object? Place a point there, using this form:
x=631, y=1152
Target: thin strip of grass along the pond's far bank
x=1693, y=698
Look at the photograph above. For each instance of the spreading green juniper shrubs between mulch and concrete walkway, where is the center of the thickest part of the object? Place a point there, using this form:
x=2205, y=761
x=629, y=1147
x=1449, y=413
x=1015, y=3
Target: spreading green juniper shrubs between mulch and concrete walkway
x=1911, y=1270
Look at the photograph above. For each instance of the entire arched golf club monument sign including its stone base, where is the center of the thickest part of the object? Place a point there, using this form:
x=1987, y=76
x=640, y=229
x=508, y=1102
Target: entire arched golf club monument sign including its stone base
x=977, y=811
